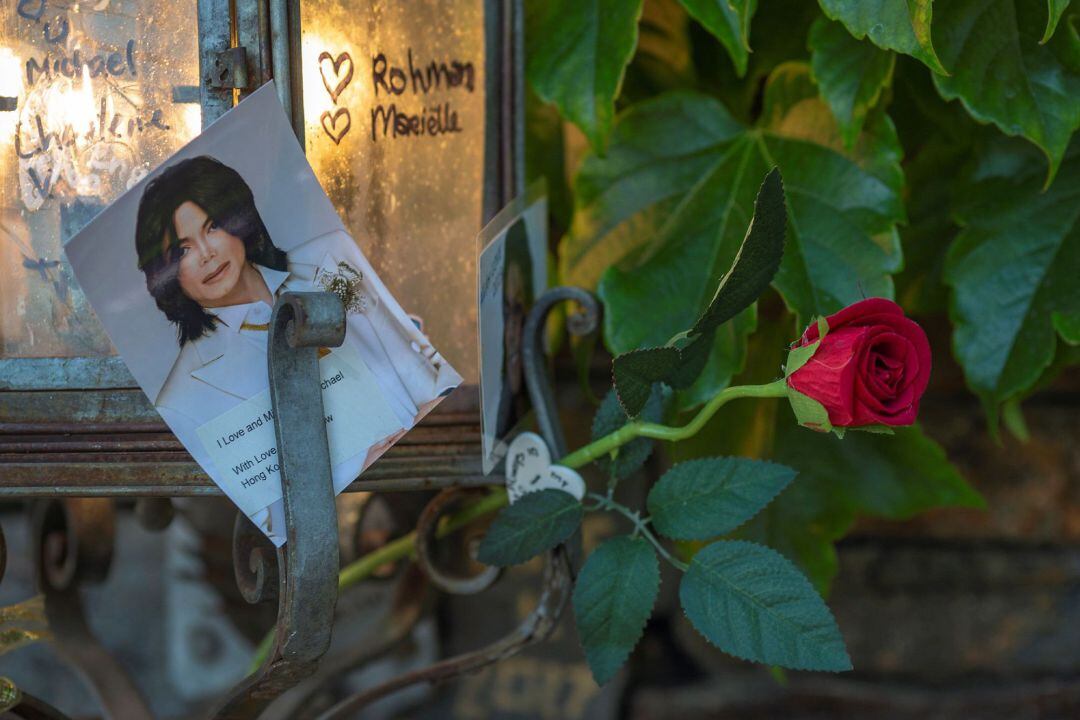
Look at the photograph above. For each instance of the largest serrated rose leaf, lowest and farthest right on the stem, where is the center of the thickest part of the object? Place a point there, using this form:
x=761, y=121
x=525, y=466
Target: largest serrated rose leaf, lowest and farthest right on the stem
x=752, y=603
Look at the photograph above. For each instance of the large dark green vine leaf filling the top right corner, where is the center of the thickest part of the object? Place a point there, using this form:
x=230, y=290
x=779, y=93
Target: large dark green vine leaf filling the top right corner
x=1004, y=75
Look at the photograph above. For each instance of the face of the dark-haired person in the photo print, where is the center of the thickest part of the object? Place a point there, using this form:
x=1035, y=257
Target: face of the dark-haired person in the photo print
x=211, y=260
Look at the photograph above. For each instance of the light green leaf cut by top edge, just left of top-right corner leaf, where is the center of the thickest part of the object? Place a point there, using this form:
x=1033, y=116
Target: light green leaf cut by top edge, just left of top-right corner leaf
x=899, y=25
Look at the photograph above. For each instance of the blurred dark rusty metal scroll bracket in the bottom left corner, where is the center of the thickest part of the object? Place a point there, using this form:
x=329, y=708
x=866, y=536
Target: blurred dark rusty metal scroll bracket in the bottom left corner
x=73, y=547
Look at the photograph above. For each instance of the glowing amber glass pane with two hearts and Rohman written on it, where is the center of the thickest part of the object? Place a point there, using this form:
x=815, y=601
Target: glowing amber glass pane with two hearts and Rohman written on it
x=394, y=102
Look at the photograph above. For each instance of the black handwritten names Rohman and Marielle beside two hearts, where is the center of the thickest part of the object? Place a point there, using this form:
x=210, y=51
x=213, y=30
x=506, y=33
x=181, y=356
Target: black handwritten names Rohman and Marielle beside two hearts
x=387, y=79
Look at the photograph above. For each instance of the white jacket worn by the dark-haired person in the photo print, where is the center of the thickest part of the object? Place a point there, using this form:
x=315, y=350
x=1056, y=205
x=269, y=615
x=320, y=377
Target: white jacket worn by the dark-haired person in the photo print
x=227, y=366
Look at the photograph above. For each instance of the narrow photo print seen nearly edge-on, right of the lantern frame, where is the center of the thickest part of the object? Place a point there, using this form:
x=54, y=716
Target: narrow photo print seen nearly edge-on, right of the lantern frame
x=512, y=274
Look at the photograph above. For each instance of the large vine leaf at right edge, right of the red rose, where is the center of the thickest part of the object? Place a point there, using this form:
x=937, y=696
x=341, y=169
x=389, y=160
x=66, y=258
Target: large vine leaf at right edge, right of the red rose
x=1014, y=268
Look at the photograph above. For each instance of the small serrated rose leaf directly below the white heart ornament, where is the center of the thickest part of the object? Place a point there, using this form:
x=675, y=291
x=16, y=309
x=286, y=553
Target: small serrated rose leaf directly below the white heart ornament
x=536, y=523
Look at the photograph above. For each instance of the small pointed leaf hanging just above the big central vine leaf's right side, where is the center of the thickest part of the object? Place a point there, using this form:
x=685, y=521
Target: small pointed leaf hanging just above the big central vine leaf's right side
x=852, y=75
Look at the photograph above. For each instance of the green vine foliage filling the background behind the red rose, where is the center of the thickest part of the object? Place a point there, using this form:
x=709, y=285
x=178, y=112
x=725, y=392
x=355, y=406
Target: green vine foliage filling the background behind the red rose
x=928, y=156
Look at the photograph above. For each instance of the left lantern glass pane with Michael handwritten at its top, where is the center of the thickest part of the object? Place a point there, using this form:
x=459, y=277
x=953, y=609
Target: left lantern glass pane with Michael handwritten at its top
x=103, y=91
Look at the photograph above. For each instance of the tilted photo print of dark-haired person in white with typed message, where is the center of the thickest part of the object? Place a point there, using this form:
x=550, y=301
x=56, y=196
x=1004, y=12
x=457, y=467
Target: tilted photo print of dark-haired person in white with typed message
x=184, y=270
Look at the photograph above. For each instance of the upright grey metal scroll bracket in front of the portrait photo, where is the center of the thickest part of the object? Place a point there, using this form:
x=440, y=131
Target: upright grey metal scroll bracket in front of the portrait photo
x=308, y=565
